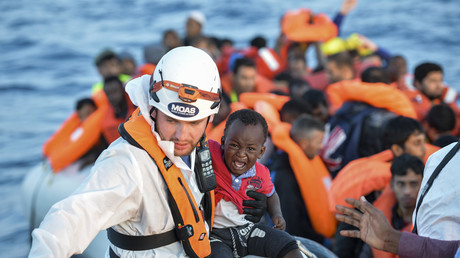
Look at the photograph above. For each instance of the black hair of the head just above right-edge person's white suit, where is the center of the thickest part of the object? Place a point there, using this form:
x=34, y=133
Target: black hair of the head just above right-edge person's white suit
x=442, y=118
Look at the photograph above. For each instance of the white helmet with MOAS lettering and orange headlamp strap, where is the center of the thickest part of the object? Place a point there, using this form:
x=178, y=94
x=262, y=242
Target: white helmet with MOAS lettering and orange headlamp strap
x=185, y=85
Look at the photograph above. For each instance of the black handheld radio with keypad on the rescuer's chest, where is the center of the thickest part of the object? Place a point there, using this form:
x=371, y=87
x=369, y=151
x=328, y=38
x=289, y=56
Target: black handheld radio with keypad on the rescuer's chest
x=203, y=167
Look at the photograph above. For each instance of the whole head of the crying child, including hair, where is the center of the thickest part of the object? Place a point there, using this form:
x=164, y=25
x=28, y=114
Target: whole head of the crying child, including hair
x=243, y=141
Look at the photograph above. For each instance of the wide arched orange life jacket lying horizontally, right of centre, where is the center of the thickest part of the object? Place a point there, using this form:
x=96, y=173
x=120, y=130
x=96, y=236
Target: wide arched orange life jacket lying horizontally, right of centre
x=379, y=95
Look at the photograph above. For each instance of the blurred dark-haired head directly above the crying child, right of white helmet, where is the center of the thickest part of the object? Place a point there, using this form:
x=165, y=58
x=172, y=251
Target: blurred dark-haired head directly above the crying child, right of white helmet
x=244, y=75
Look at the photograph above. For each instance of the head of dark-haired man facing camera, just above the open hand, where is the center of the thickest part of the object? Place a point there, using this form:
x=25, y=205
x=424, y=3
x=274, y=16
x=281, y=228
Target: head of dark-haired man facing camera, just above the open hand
x=406, y=177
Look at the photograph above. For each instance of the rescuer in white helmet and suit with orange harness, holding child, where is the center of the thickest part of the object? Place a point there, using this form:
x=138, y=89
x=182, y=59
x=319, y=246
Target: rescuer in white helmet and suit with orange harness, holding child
x=148, y=188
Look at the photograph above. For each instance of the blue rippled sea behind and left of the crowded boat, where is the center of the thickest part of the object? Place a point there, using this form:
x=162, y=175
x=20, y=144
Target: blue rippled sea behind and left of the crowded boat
x=47, y=49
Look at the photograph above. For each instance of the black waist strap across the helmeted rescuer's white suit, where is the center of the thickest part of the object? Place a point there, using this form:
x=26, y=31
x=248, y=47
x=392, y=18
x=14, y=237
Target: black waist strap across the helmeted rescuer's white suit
x=140, y=243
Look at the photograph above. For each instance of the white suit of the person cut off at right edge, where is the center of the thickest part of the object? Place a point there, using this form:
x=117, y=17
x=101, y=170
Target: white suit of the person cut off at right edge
x=439, y=213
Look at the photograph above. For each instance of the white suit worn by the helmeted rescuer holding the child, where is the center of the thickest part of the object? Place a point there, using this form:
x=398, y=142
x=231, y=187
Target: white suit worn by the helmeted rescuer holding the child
x=124, y=190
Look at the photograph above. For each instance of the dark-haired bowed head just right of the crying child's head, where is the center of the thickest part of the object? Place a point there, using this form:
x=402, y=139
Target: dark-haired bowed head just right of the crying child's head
x=308, y=133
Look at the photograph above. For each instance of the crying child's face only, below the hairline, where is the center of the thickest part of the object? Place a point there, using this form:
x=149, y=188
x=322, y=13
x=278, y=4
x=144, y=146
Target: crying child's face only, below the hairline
x=242, y=145
